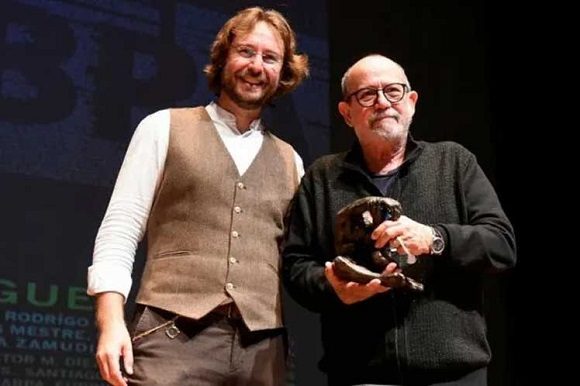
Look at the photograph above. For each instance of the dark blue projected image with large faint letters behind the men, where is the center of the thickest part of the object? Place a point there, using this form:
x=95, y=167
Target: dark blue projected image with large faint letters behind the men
x=80, y=75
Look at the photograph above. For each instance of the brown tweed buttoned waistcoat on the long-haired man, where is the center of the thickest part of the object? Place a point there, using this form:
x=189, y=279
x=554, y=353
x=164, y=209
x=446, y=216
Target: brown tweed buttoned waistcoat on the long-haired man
x=212, y=234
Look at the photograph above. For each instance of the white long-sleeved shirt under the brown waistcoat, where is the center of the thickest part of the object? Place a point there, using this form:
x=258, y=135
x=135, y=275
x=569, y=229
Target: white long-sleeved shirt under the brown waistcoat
x=125, y=220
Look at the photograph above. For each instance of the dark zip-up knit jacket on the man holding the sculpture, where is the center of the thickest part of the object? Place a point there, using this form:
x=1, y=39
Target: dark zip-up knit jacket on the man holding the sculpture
x=401, y=337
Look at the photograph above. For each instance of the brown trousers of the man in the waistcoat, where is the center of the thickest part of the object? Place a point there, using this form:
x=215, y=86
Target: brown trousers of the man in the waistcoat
x=217, y=350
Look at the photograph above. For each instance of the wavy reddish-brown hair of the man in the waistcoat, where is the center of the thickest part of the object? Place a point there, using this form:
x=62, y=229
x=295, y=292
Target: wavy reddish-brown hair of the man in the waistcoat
x=294, y=67
